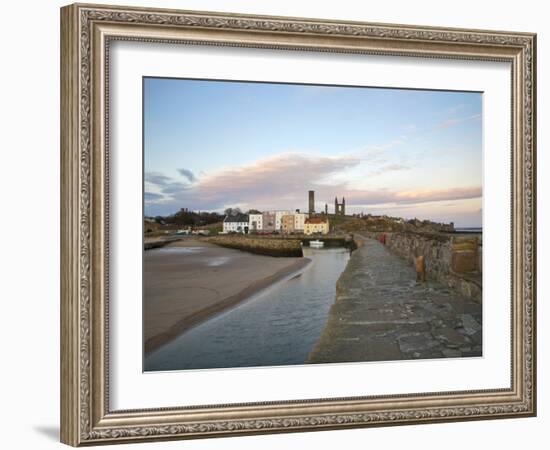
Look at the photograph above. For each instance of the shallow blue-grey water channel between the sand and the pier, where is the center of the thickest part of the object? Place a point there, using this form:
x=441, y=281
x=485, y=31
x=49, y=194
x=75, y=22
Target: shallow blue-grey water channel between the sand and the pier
x=278, y=326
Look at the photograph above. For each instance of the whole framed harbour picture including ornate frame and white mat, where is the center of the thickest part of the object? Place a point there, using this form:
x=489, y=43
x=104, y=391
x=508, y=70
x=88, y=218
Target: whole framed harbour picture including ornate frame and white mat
x=277, y=224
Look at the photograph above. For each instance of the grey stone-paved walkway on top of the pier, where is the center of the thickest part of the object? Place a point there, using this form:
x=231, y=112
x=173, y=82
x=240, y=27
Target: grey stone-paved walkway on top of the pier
x=382, y=313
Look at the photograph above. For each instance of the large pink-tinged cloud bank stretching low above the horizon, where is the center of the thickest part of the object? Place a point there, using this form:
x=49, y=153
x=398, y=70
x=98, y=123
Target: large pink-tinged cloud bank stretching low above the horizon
x=282, y=181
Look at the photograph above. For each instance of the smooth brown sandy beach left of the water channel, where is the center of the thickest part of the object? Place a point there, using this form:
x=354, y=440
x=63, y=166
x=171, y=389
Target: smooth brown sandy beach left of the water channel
x=189, y=281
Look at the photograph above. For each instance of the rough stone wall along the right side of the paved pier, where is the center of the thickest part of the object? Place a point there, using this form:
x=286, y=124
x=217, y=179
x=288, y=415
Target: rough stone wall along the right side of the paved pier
x=455, y=260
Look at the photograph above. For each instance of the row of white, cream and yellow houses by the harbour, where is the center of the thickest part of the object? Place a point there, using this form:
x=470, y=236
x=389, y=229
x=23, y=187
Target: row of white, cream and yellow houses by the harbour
x=285, y=222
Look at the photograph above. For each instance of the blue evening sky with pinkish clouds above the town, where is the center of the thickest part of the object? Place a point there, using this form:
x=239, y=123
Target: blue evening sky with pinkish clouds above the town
x=210, y=145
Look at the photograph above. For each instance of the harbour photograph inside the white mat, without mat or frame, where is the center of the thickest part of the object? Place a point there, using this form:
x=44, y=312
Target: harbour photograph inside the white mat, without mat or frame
x=294, y=224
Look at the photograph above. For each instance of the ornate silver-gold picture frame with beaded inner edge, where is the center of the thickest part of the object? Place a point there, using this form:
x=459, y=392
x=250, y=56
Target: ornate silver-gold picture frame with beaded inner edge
x=87, y=33
